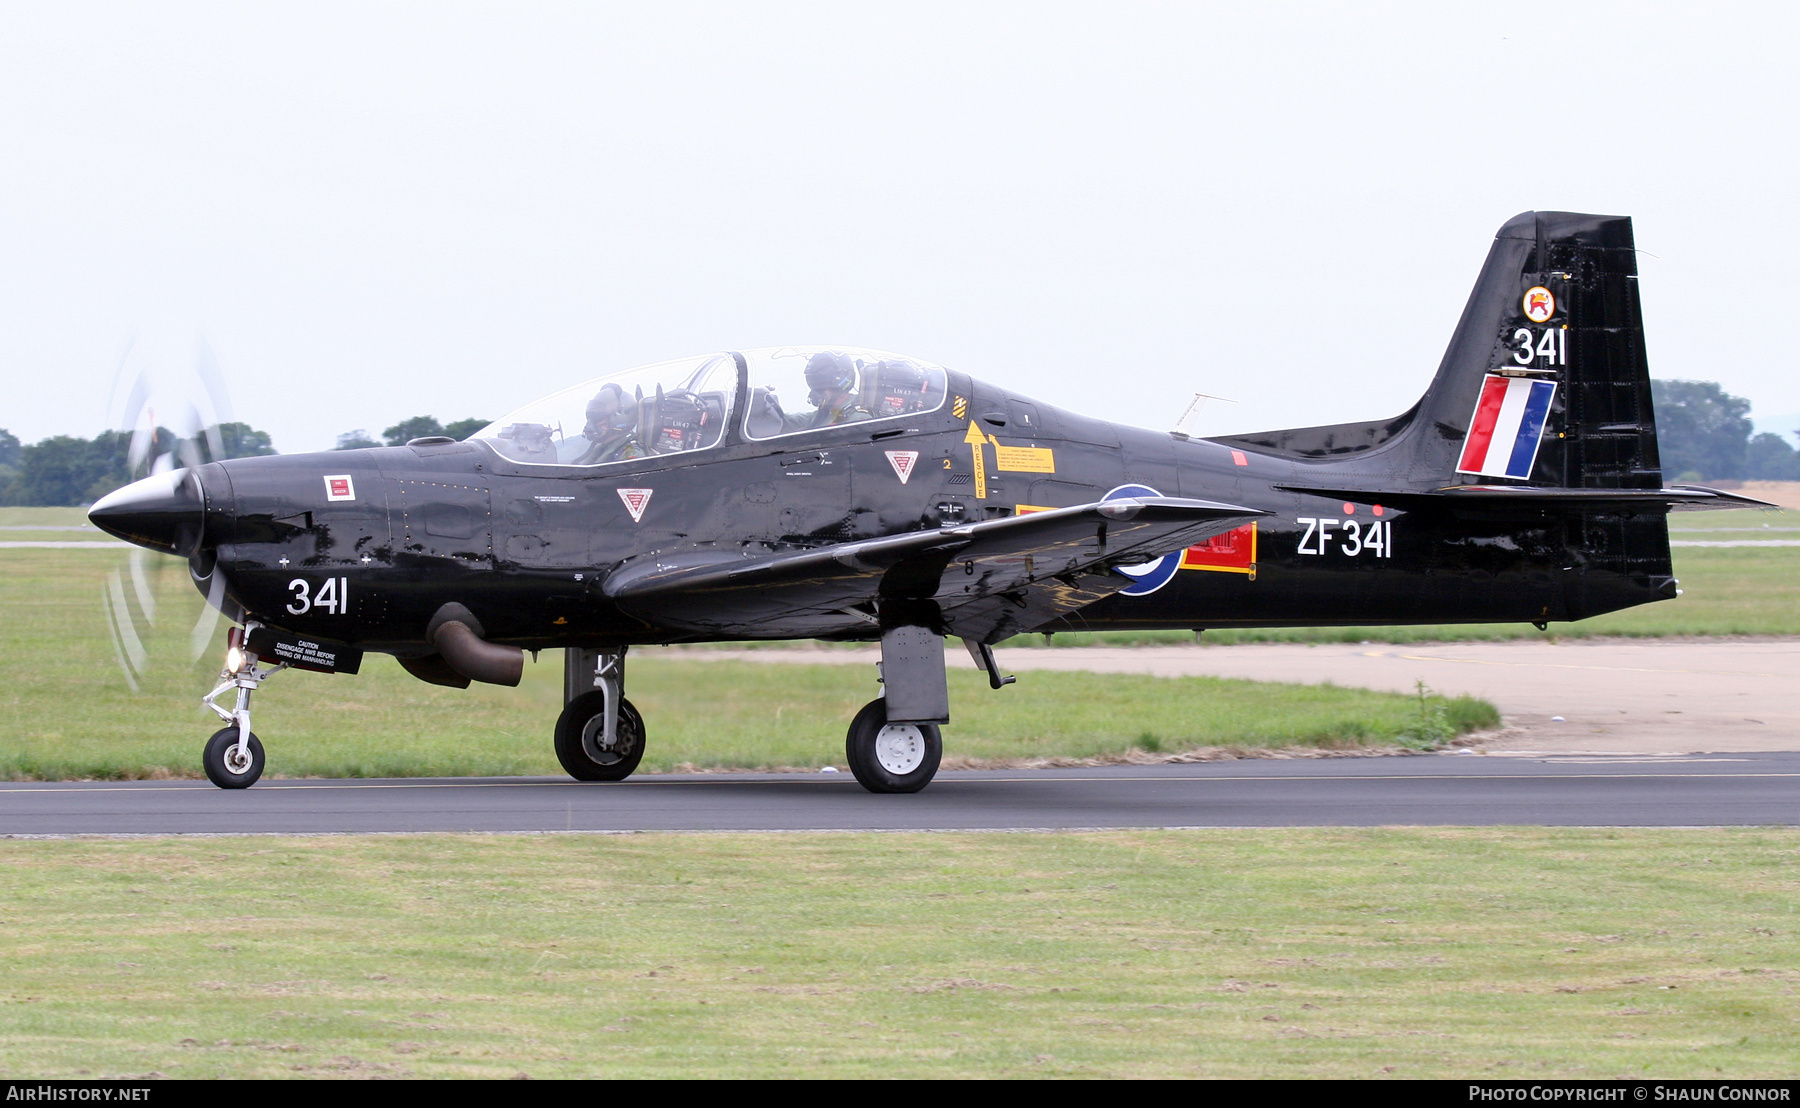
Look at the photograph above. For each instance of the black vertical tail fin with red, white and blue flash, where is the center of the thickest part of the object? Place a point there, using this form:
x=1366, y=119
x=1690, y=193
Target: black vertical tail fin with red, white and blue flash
x=1545, y=380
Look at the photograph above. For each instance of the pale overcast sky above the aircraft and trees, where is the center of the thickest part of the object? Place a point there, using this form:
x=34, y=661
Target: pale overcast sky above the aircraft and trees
x=379, y=211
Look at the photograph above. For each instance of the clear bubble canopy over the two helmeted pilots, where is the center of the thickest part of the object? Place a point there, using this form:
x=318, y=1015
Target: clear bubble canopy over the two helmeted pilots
x=676, y=407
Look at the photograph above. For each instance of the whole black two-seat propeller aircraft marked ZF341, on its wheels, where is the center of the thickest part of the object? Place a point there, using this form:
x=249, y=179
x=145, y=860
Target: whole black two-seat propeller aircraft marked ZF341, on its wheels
x=685, y=503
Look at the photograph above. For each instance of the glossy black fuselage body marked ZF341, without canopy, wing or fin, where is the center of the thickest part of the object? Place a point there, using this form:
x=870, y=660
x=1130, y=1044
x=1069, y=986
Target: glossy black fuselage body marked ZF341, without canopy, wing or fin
x=366, y=546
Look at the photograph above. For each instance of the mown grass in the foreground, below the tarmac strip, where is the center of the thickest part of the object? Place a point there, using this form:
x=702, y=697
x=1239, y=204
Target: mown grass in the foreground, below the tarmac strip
x=1234, y=954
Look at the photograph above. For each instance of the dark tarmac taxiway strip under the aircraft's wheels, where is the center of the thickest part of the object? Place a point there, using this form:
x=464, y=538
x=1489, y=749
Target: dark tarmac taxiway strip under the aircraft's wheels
x=1358, y=792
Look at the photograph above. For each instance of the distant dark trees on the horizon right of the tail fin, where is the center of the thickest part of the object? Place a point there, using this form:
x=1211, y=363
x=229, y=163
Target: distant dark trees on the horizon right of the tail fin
x=1705, y=434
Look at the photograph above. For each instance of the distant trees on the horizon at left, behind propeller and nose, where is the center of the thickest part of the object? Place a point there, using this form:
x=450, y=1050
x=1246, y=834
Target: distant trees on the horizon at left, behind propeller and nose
x=66, y=470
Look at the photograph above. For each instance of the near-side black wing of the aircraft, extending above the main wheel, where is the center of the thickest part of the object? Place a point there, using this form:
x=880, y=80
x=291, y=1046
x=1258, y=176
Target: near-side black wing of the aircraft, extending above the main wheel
x=989, y=580
